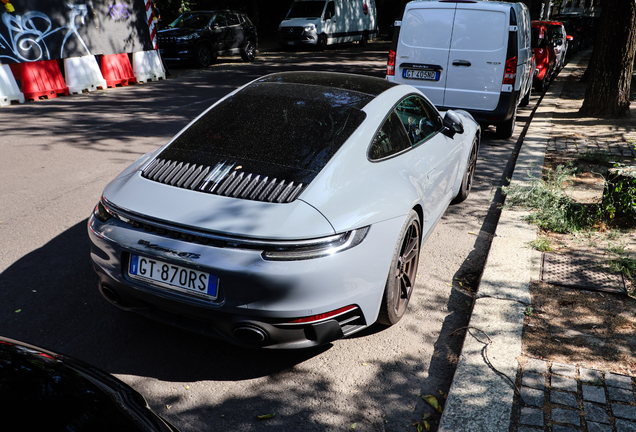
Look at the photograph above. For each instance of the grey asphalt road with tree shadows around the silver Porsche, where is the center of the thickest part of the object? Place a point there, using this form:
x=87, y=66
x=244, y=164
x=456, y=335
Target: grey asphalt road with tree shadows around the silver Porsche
x=56, y=156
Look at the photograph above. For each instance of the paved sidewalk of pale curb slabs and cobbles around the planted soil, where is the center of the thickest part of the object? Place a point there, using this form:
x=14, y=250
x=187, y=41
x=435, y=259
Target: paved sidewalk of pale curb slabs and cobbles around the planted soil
x=557, y=397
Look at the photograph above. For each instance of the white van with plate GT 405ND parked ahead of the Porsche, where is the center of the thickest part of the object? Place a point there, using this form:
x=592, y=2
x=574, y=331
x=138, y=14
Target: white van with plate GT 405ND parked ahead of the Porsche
x=466, y=54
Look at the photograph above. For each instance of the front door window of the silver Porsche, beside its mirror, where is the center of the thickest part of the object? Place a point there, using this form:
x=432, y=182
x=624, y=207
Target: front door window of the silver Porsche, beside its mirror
x=421, y=121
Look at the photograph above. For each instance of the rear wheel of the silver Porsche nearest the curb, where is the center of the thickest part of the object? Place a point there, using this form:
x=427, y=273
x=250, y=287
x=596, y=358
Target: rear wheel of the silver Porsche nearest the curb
x=401, y=280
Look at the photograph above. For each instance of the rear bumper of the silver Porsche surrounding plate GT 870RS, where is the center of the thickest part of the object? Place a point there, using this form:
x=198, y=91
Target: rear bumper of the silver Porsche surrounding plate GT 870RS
x=259, y=302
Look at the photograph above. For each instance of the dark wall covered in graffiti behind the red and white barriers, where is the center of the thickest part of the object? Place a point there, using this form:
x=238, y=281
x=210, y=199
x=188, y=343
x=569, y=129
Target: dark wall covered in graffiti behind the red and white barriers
x=49, y=29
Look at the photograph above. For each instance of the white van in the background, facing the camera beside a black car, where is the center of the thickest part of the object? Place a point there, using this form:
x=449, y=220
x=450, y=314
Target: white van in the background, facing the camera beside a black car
x=325, y=22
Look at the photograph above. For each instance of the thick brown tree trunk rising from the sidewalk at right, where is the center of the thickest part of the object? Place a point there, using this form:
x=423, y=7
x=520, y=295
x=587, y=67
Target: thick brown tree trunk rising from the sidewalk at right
x=612, y=63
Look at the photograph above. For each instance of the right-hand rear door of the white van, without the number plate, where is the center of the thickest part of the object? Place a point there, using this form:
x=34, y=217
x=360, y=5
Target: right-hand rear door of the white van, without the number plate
x=477, y=58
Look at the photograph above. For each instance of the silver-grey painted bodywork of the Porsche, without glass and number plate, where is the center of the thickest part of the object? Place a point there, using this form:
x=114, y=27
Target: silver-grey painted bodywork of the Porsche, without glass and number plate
x=349, y=193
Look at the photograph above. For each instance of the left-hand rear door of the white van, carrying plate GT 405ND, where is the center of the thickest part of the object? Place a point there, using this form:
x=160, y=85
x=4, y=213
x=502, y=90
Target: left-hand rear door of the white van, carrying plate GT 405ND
x=422, y=57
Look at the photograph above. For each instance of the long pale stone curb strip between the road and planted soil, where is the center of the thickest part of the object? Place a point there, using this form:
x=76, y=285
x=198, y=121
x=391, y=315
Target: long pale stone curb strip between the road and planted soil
x=481, y=399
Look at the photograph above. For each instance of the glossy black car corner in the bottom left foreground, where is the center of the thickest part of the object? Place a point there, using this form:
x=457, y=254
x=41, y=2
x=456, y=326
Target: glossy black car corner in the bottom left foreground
x=41, y=390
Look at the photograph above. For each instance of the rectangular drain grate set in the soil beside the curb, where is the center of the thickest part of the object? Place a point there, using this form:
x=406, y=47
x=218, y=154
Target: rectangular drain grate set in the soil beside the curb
x=580, y=271
